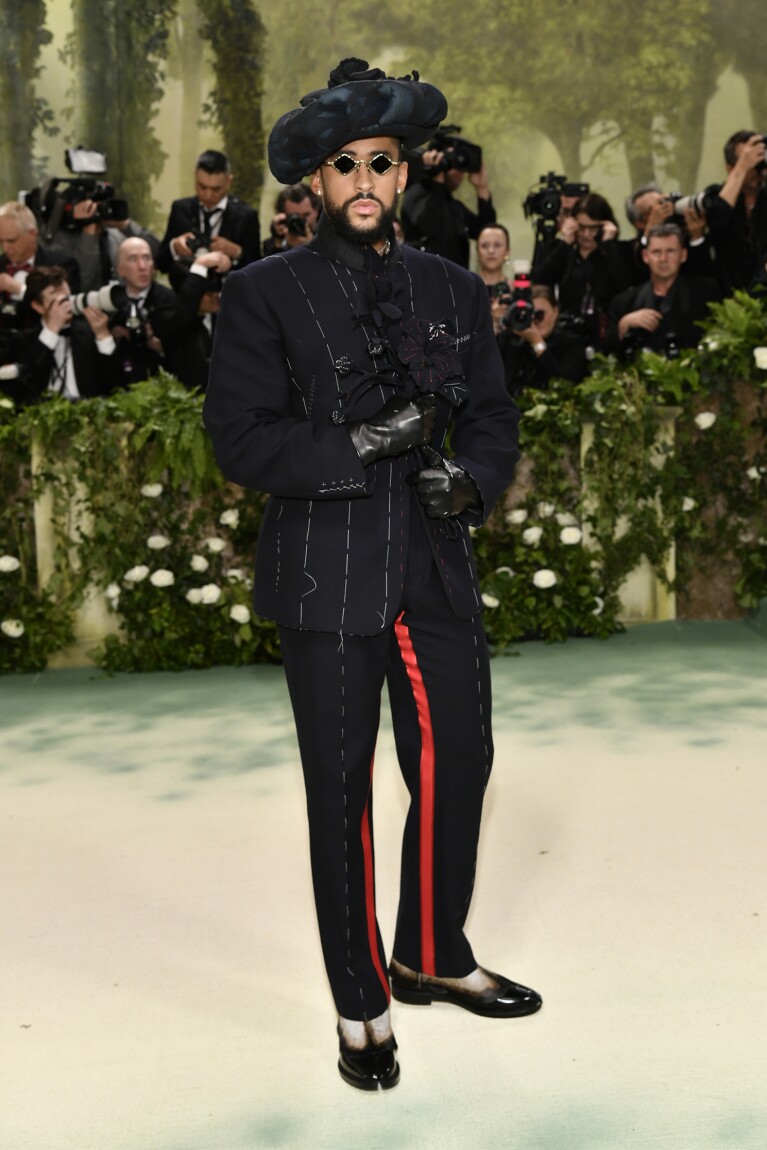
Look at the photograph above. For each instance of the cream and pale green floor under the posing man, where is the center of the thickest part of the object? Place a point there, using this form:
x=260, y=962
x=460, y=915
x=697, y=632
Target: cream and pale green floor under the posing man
x=163, y=987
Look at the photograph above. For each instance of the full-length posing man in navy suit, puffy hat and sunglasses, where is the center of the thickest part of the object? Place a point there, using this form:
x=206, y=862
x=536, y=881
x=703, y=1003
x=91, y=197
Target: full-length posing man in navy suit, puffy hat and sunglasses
x=339, y=371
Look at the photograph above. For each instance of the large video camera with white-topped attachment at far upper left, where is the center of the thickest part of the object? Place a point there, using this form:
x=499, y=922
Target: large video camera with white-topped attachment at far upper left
x=55, y=203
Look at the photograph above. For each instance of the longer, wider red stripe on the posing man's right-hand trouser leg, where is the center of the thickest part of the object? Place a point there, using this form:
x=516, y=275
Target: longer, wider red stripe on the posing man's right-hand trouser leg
x=427, y=796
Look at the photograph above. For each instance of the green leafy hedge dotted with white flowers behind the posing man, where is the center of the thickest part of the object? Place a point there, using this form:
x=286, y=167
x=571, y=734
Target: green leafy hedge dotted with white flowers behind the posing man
x=171, y=545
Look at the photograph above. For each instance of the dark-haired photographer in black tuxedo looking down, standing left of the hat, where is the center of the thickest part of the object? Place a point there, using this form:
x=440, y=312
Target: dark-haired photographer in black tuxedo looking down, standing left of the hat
x=211, y=220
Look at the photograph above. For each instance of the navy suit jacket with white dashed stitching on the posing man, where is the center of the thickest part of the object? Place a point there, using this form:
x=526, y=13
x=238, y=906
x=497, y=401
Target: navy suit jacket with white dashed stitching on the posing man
x=294, y=335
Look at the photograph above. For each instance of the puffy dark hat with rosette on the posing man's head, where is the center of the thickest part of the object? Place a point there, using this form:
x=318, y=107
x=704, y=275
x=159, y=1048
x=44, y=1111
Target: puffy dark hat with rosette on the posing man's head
x=358, y=104
